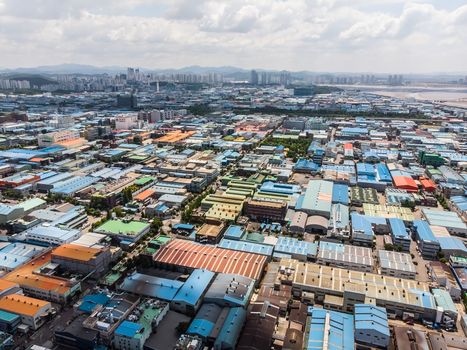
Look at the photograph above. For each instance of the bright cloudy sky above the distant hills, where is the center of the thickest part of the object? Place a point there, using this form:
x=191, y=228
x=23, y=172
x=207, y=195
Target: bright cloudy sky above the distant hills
x=317, y=35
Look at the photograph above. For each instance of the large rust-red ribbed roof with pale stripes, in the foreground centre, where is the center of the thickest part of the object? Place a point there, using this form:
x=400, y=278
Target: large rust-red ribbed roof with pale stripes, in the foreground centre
x=197, y=256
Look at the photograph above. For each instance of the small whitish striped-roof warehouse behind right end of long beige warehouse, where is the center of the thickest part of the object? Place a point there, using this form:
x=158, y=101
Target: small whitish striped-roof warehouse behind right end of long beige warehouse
x=396, y=264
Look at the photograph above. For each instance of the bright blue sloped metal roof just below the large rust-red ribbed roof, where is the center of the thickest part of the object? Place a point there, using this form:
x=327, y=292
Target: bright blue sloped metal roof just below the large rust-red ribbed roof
x=194, y=287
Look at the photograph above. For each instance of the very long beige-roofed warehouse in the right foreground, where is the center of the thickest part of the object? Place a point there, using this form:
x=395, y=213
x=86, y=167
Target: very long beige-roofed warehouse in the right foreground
x=355, y=287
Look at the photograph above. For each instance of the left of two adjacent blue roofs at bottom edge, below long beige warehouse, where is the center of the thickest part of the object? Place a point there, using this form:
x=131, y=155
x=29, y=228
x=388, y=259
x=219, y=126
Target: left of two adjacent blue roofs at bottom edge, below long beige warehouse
x=340, y=332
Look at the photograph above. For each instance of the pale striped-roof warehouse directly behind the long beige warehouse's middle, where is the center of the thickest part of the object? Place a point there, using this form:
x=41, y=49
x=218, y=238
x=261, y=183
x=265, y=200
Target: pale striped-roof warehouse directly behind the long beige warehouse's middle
x=345, y=256
